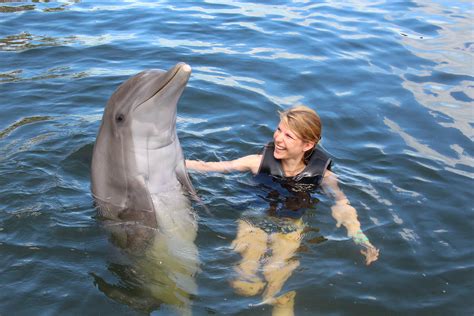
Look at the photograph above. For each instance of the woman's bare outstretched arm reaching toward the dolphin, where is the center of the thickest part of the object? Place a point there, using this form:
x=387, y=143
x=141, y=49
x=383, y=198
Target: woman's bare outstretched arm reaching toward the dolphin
x=247, y=163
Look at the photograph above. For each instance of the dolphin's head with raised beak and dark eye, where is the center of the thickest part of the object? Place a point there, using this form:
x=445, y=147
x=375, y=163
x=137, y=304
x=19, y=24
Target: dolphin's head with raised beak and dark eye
x=147, y=103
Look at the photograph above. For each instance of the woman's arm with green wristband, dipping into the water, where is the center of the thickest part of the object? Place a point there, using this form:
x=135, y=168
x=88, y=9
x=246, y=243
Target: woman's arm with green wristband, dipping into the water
x=346, y=215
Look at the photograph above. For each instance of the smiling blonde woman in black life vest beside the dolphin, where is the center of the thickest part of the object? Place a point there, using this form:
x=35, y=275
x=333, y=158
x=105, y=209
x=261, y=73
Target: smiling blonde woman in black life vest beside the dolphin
x=295, y=161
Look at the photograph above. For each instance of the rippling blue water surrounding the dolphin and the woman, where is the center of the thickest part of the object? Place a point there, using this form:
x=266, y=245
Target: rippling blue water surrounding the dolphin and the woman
x=392, y=82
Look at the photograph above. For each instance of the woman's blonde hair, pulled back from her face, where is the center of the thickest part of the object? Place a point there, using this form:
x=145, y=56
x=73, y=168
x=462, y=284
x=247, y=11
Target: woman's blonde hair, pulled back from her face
x=304, y=122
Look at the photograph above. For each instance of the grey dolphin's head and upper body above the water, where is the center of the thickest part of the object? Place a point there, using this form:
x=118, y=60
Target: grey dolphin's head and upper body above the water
x=137, y=150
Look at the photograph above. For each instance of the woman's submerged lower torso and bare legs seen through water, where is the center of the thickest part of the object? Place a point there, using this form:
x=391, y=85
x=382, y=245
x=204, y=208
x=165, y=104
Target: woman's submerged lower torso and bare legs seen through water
x=268, y=244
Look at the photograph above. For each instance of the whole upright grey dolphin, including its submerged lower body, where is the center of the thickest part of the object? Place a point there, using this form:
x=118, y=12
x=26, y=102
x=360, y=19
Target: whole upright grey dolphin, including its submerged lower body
x=141, y=187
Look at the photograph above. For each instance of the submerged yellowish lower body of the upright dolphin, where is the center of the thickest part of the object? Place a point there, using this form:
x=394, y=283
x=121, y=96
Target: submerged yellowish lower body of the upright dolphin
x=162, y=262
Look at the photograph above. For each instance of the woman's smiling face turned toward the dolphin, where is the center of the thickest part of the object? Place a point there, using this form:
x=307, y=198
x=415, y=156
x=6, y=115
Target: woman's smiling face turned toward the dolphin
x=287, y=144
